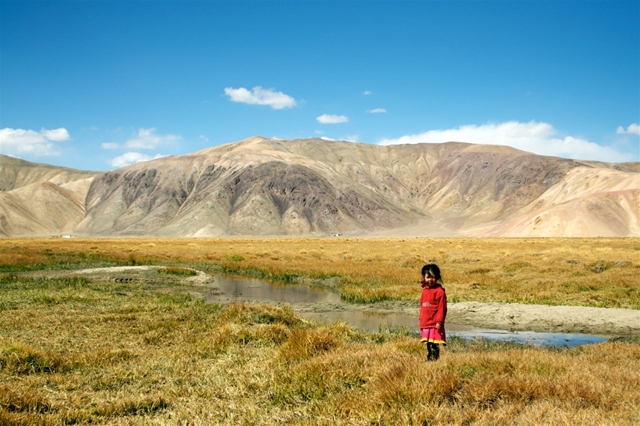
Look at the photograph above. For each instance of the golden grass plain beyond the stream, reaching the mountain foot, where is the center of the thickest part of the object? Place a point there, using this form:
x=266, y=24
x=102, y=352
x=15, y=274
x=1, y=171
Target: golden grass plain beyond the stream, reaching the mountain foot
x=599, y=272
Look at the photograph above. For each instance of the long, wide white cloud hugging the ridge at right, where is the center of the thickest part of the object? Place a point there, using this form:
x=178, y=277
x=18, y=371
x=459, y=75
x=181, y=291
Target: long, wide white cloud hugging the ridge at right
x=536, y=137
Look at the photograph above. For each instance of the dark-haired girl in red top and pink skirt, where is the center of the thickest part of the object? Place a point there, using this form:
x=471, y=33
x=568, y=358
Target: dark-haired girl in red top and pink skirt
x=433, y=310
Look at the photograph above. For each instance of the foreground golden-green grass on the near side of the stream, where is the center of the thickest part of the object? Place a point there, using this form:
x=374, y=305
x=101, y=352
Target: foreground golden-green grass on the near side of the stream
x=78, y=352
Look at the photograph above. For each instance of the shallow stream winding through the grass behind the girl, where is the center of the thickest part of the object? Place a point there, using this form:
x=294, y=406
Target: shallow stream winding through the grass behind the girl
x=228, y=290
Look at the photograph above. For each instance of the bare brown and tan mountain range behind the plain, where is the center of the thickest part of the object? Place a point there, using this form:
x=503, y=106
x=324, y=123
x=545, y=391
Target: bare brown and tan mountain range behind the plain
x=262, y=186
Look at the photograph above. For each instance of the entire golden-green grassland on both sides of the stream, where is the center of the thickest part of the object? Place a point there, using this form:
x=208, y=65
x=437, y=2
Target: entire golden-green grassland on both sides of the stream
x=74, y=351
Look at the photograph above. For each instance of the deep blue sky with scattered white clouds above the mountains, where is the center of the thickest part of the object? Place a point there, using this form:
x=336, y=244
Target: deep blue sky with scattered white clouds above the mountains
x=97, y=85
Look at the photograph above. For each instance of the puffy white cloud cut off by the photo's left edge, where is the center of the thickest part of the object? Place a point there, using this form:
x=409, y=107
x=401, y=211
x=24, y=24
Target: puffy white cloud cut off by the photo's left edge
x=20, y=141
